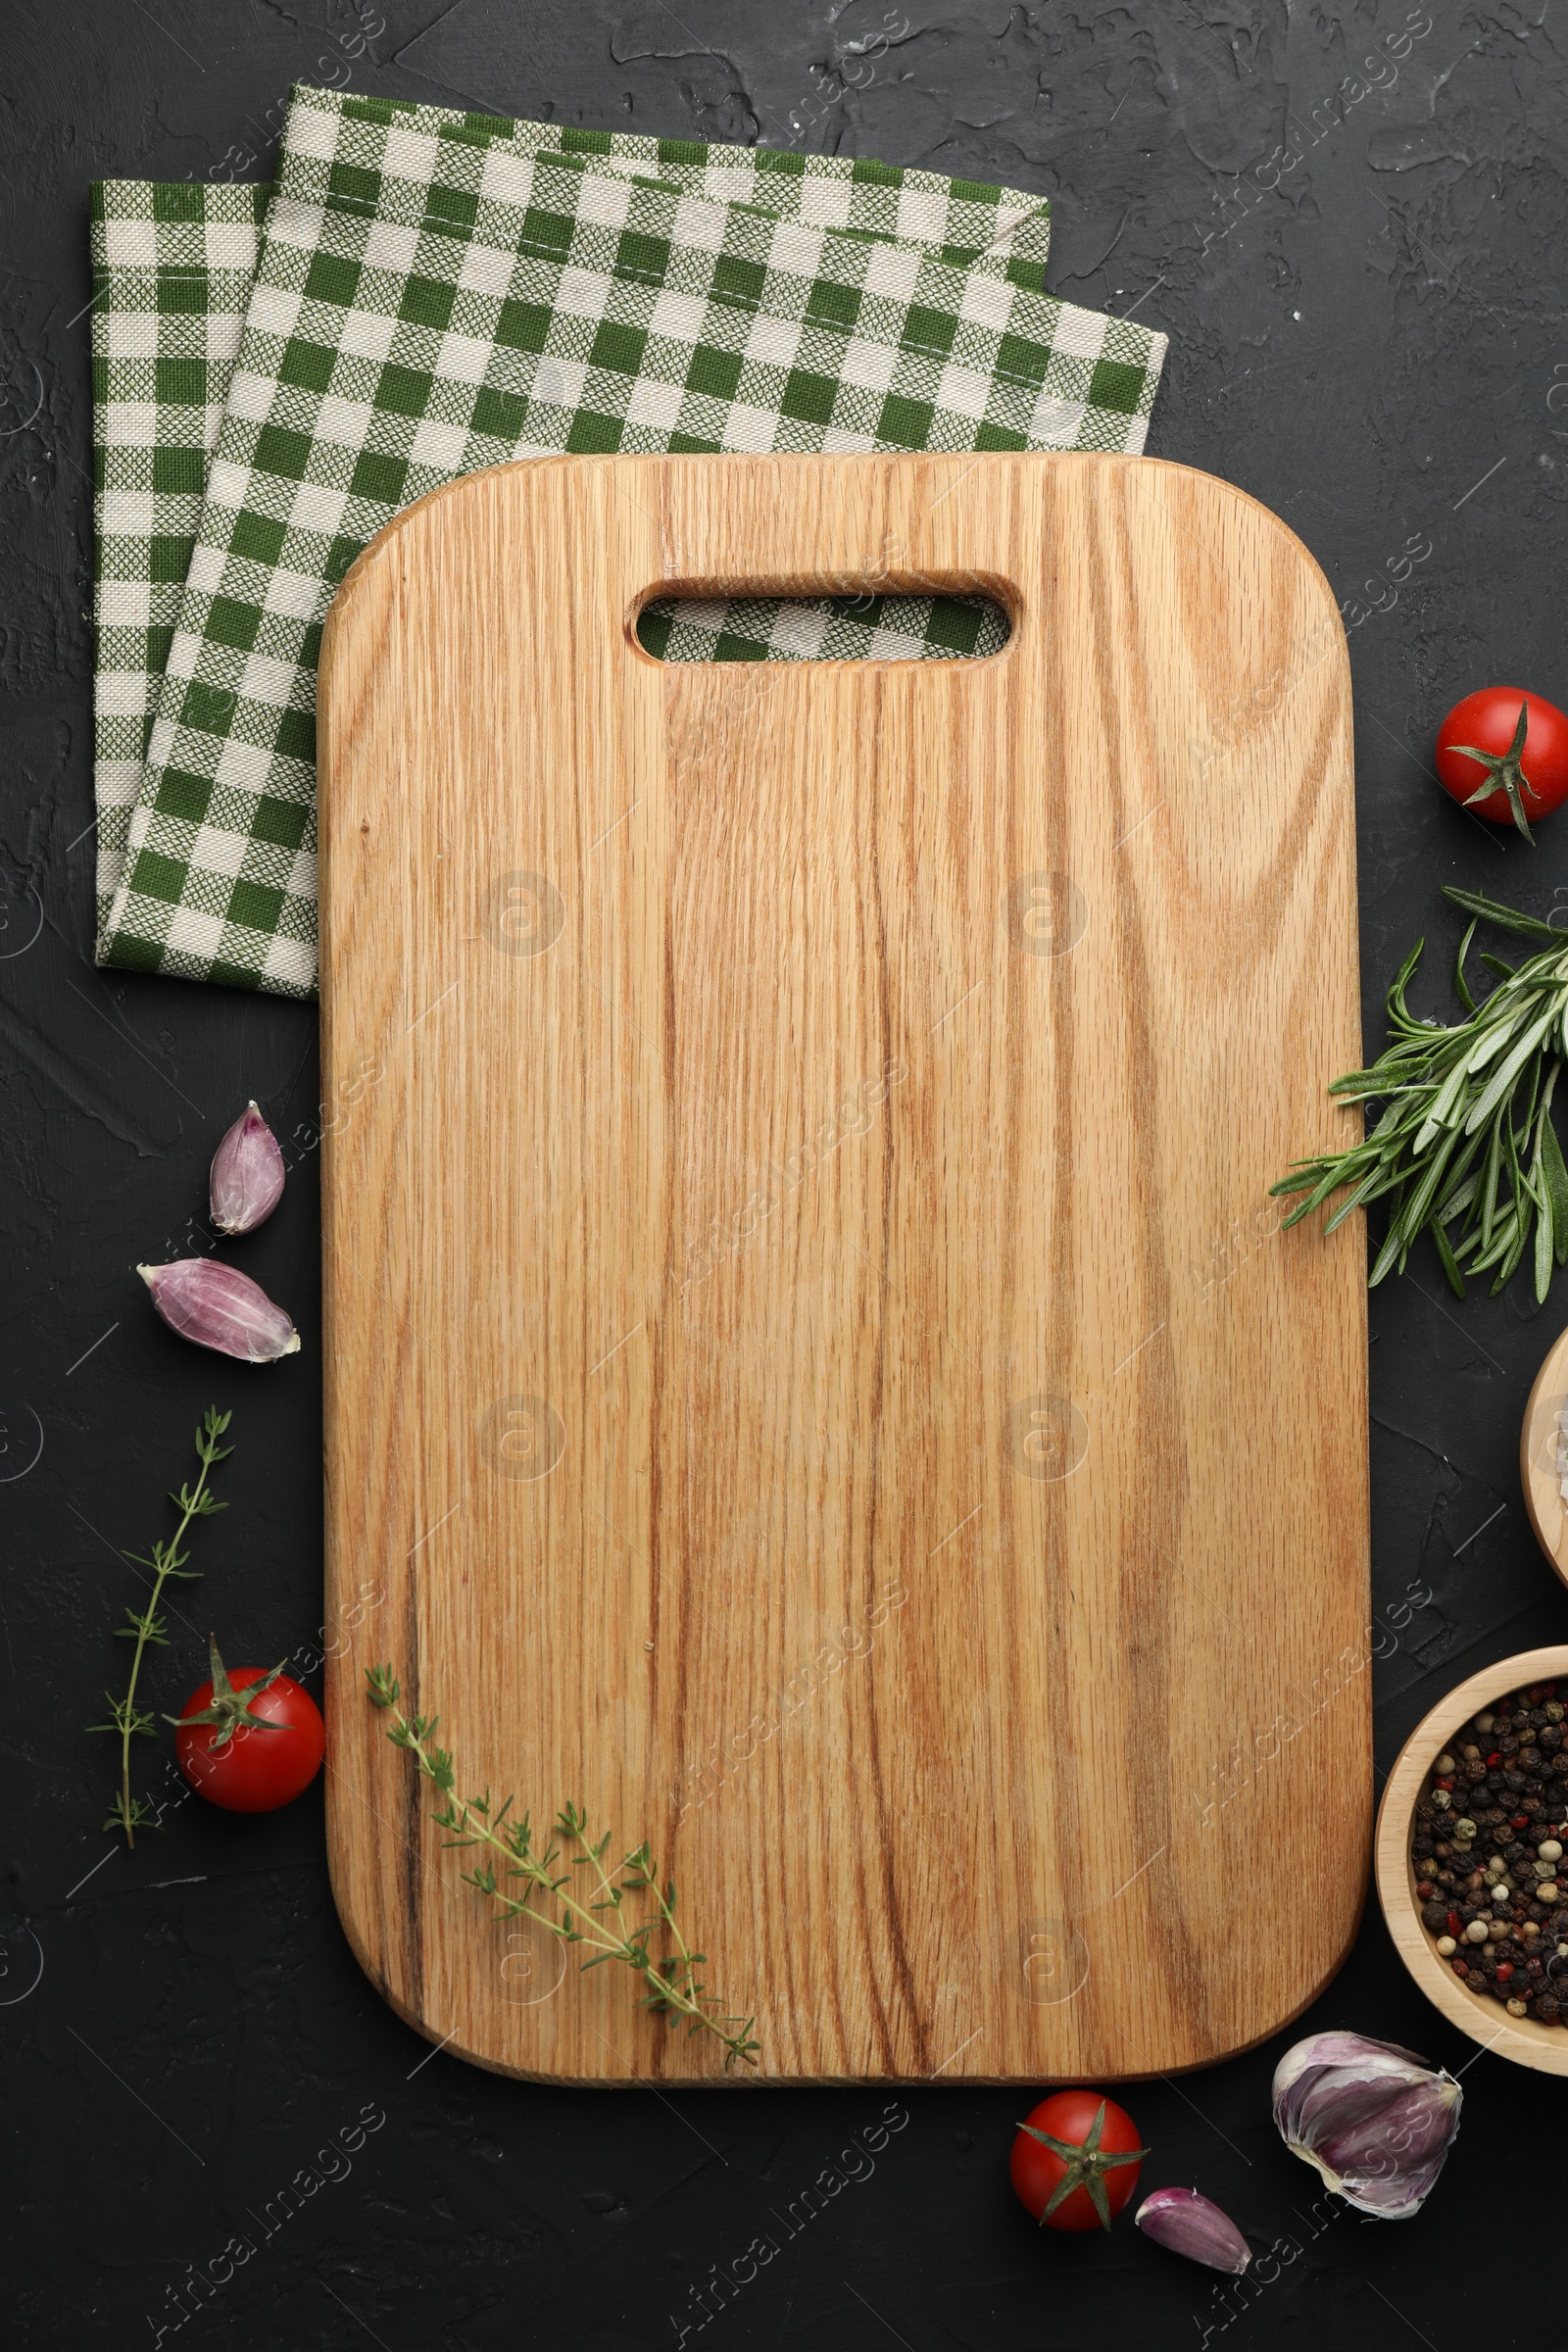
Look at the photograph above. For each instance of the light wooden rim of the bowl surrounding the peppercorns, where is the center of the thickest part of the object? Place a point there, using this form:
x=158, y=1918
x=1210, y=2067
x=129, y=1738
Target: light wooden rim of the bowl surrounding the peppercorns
x=1525, y=2040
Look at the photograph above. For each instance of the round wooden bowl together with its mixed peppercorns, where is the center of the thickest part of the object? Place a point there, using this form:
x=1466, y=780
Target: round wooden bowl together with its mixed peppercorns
x=1473, y=1836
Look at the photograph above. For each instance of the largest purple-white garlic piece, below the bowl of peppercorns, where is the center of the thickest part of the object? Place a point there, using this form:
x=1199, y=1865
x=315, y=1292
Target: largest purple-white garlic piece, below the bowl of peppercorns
x=1374, y=2118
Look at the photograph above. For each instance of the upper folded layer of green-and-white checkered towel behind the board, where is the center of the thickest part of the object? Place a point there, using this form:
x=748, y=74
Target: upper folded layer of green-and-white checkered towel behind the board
x=431, y=302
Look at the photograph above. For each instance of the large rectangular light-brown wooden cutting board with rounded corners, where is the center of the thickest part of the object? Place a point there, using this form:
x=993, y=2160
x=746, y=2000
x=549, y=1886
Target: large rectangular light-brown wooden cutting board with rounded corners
x=812, y=1365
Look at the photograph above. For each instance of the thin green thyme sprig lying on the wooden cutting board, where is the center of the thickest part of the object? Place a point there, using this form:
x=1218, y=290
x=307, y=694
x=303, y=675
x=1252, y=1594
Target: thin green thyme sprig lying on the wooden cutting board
x=594, y=1913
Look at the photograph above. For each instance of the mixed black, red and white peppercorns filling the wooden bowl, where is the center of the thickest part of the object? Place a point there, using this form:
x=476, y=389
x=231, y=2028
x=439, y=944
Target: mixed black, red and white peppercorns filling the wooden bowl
x=1487, y=1852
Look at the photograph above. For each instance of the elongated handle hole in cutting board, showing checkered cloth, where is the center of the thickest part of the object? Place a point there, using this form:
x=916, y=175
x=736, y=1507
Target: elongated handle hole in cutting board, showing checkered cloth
x=932, y=624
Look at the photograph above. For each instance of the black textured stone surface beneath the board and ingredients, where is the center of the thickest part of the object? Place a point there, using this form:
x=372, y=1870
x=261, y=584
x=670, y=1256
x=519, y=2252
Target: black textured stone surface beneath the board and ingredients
x=1372, y=347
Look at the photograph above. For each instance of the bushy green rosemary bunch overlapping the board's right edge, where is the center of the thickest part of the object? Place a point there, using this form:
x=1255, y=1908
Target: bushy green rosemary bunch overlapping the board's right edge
x=1466, y=1135
